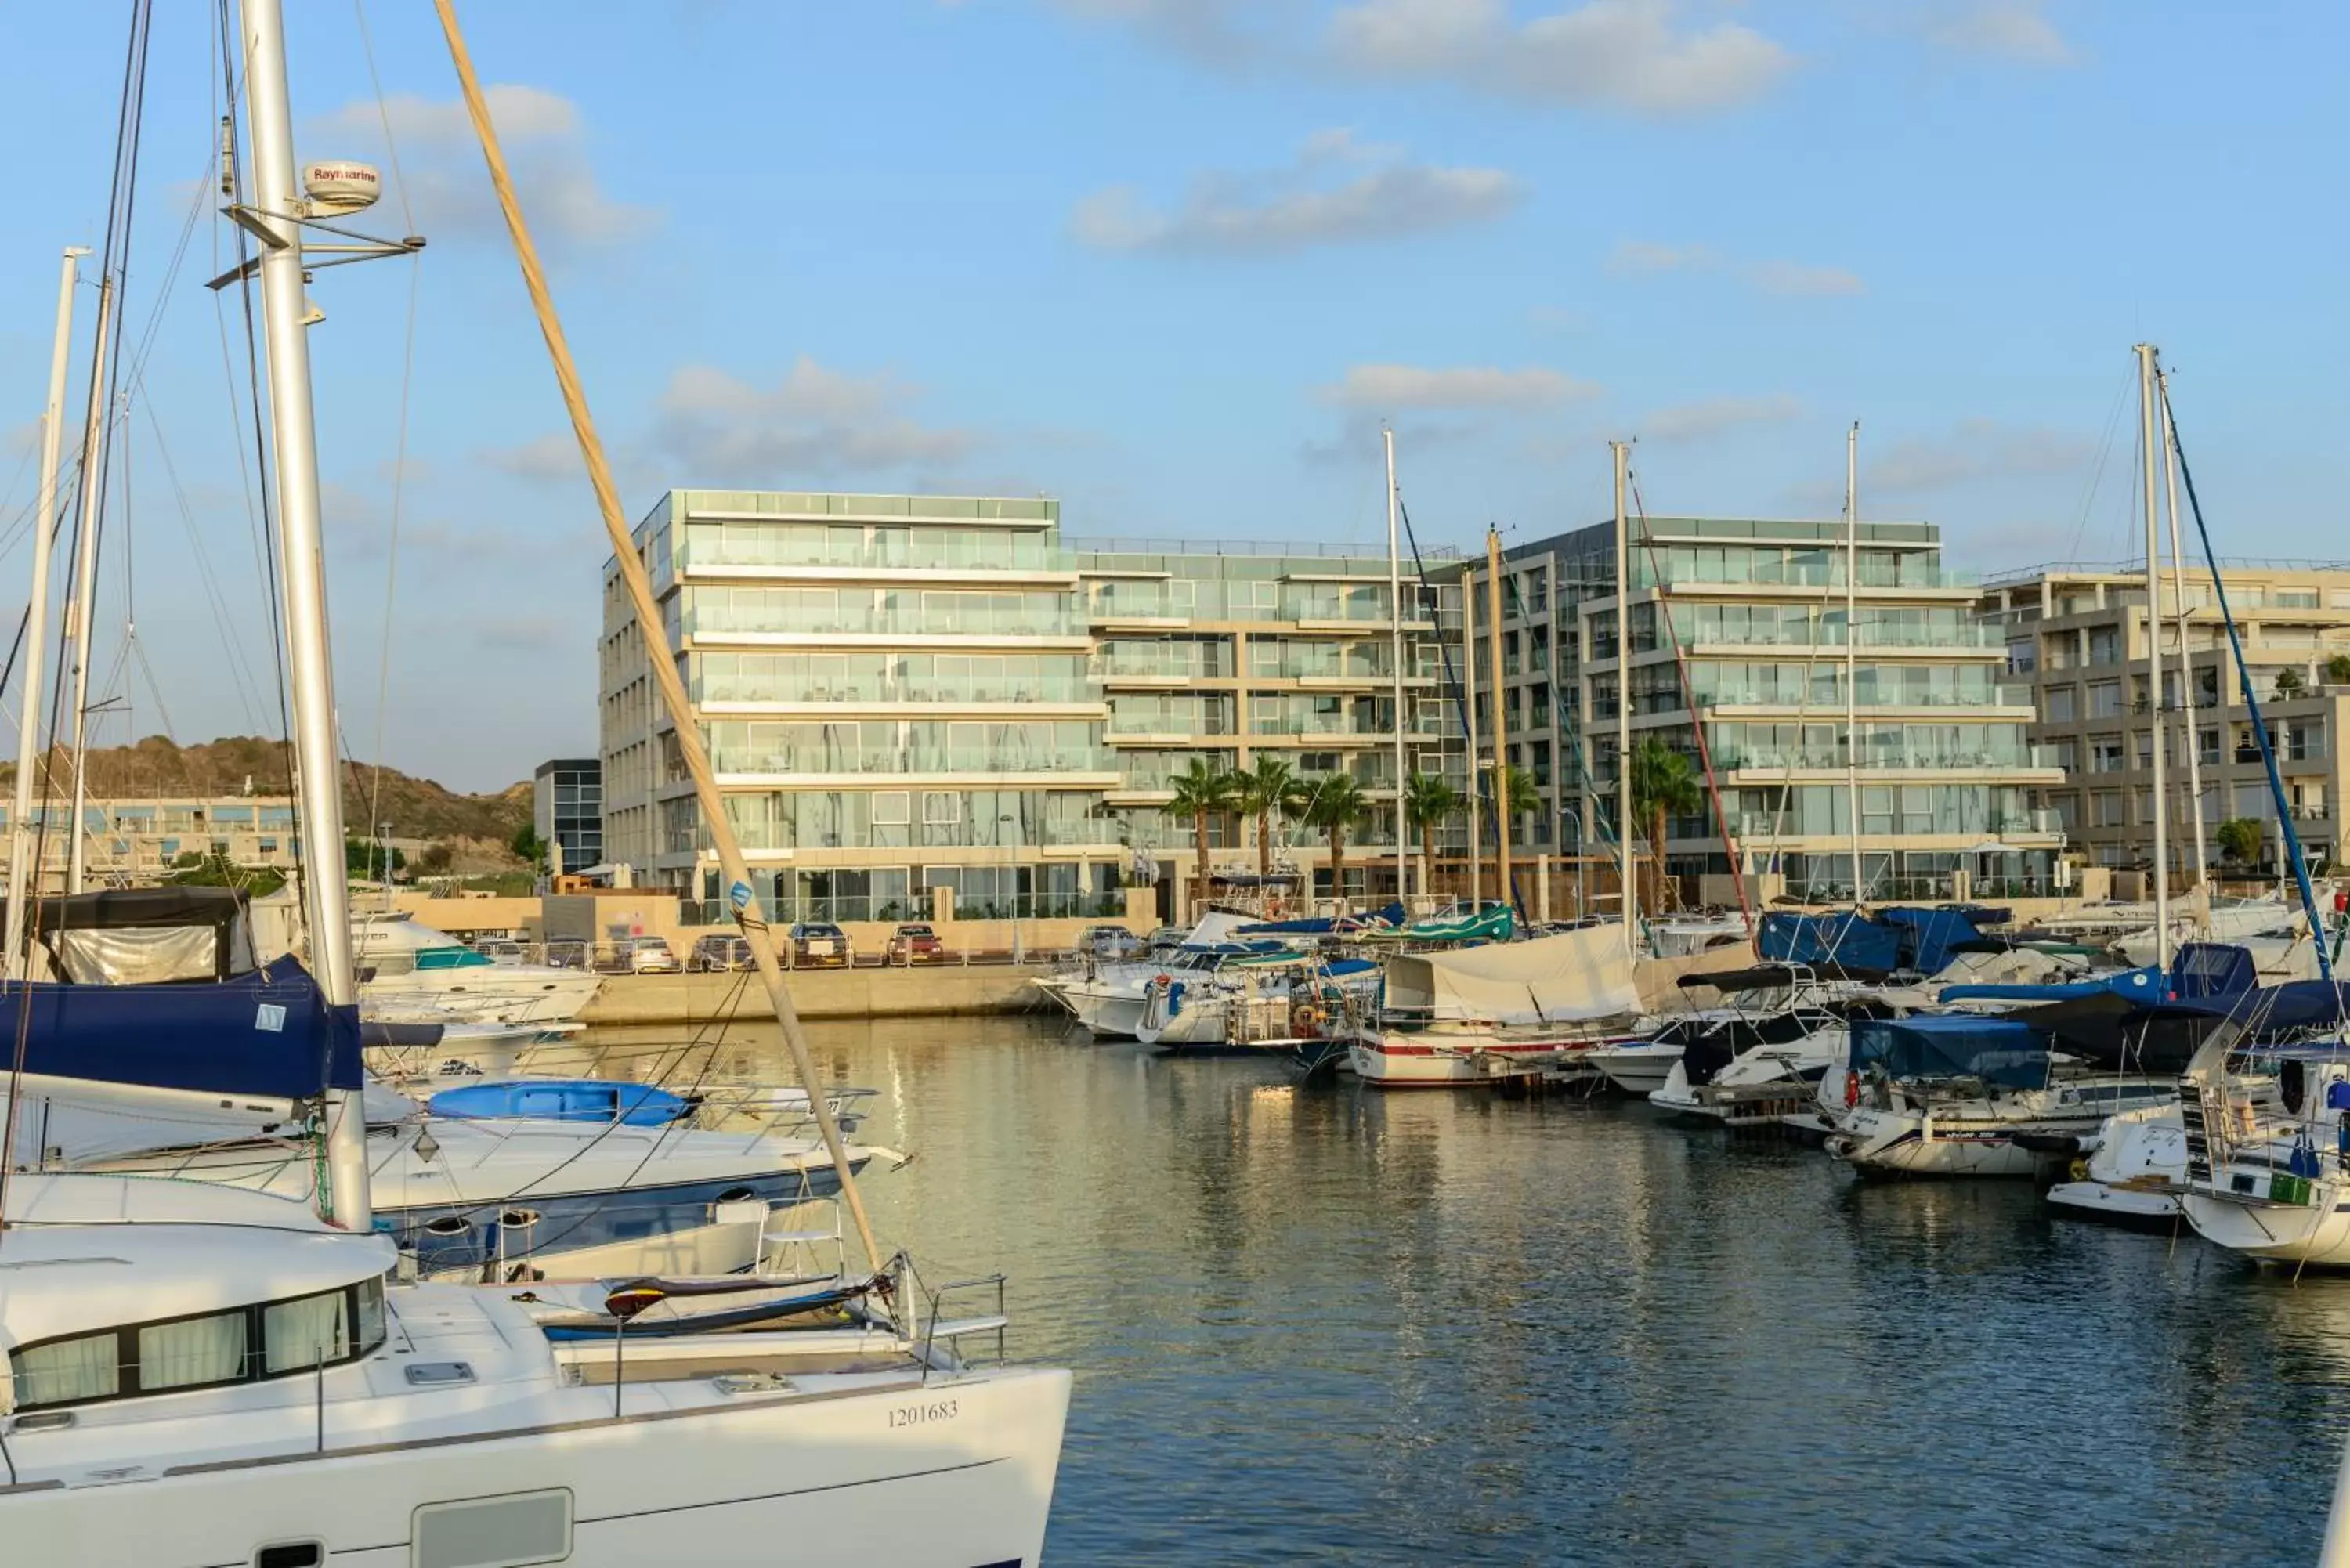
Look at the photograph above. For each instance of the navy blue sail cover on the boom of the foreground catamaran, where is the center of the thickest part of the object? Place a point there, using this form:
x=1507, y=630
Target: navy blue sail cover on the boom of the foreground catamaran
x=262, y=1033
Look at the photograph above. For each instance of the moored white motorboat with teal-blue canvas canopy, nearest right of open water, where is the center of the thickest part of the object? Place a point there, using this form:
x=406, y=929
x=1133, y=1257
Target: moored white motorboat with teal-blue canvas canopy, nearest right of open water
x=1975, y=1097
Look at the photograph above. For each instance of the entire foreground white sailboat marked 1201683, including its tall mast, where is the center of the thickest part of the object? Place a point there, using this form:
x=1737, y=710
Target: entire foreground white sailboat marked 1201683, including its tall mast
x=271, y=1393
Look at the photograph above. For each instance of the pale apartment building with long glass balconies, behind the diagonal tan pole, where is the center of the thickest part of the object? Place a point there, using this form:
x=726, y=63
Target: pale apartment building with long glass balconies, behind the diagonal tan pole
x=913, y=695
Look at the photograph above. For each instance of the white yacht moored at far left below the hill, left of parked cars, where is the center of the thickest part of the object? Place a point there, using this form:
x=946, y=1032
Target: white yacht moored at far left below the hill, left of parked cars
x=417, y=974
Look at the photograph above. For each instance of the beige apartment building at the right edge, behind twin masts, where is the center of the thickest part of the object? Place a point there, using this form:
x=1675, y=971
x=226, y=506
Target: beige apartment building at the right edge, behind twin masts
x=2079, y=634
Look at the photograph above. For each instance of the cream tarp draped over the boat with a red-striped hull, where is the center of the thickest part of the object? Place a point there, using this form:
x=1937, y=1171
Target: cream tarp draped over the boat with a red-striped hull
x=1576, y=974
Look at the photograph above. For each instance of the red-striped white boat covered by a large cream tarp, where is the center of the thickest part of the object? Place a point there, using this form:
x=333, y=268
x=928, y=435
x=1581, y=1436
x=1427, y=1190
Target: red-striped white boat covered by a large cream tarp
x=1470, y=1014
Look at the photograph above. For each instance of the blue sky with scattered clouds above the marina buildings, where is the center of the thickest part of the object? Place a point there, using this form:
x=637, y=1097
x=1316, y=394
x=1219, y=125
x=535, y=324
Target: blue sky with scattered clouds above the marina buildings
x=1176, y=262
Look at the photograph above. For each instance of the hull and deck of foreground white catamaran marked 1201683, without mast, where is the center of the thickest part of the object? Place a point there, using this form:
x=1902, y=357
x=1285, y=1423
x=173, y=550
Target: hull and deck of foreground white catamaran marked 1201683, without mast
x=206, y=1376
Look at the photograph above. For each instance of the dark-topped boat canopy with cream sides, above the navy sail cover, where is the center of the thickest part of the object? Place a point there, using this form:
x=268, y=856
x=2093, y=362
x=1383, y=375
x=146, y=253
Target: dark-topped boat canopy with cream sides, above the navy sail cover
x=145, y=937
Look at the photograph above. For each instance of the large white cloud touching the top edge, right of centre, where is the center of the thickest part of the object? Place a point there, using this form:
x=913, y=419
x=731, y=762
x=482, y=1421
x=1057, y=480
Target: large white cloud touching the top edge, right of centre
x=1604, y=53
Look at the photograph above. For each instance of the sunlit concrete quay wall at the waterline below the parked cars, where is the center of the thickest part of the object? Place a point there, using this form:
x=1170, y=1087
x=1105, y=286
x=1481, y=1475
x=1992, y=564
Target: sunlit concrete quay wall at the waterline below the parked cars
x=821, y=993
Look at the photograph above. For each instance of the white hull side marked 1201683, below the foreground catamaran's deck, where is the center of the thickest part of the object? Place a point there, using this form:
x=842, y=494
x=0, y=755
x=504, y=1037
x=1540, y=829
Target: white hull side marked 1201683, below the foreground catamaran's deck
x=944, y=1473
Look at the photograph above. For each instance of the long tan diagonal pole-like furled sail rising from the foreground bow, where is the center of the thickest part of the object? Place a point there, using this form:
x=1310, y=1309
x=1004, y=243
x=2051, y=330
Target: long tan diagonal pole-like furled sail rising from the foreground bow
x=657, y=648
